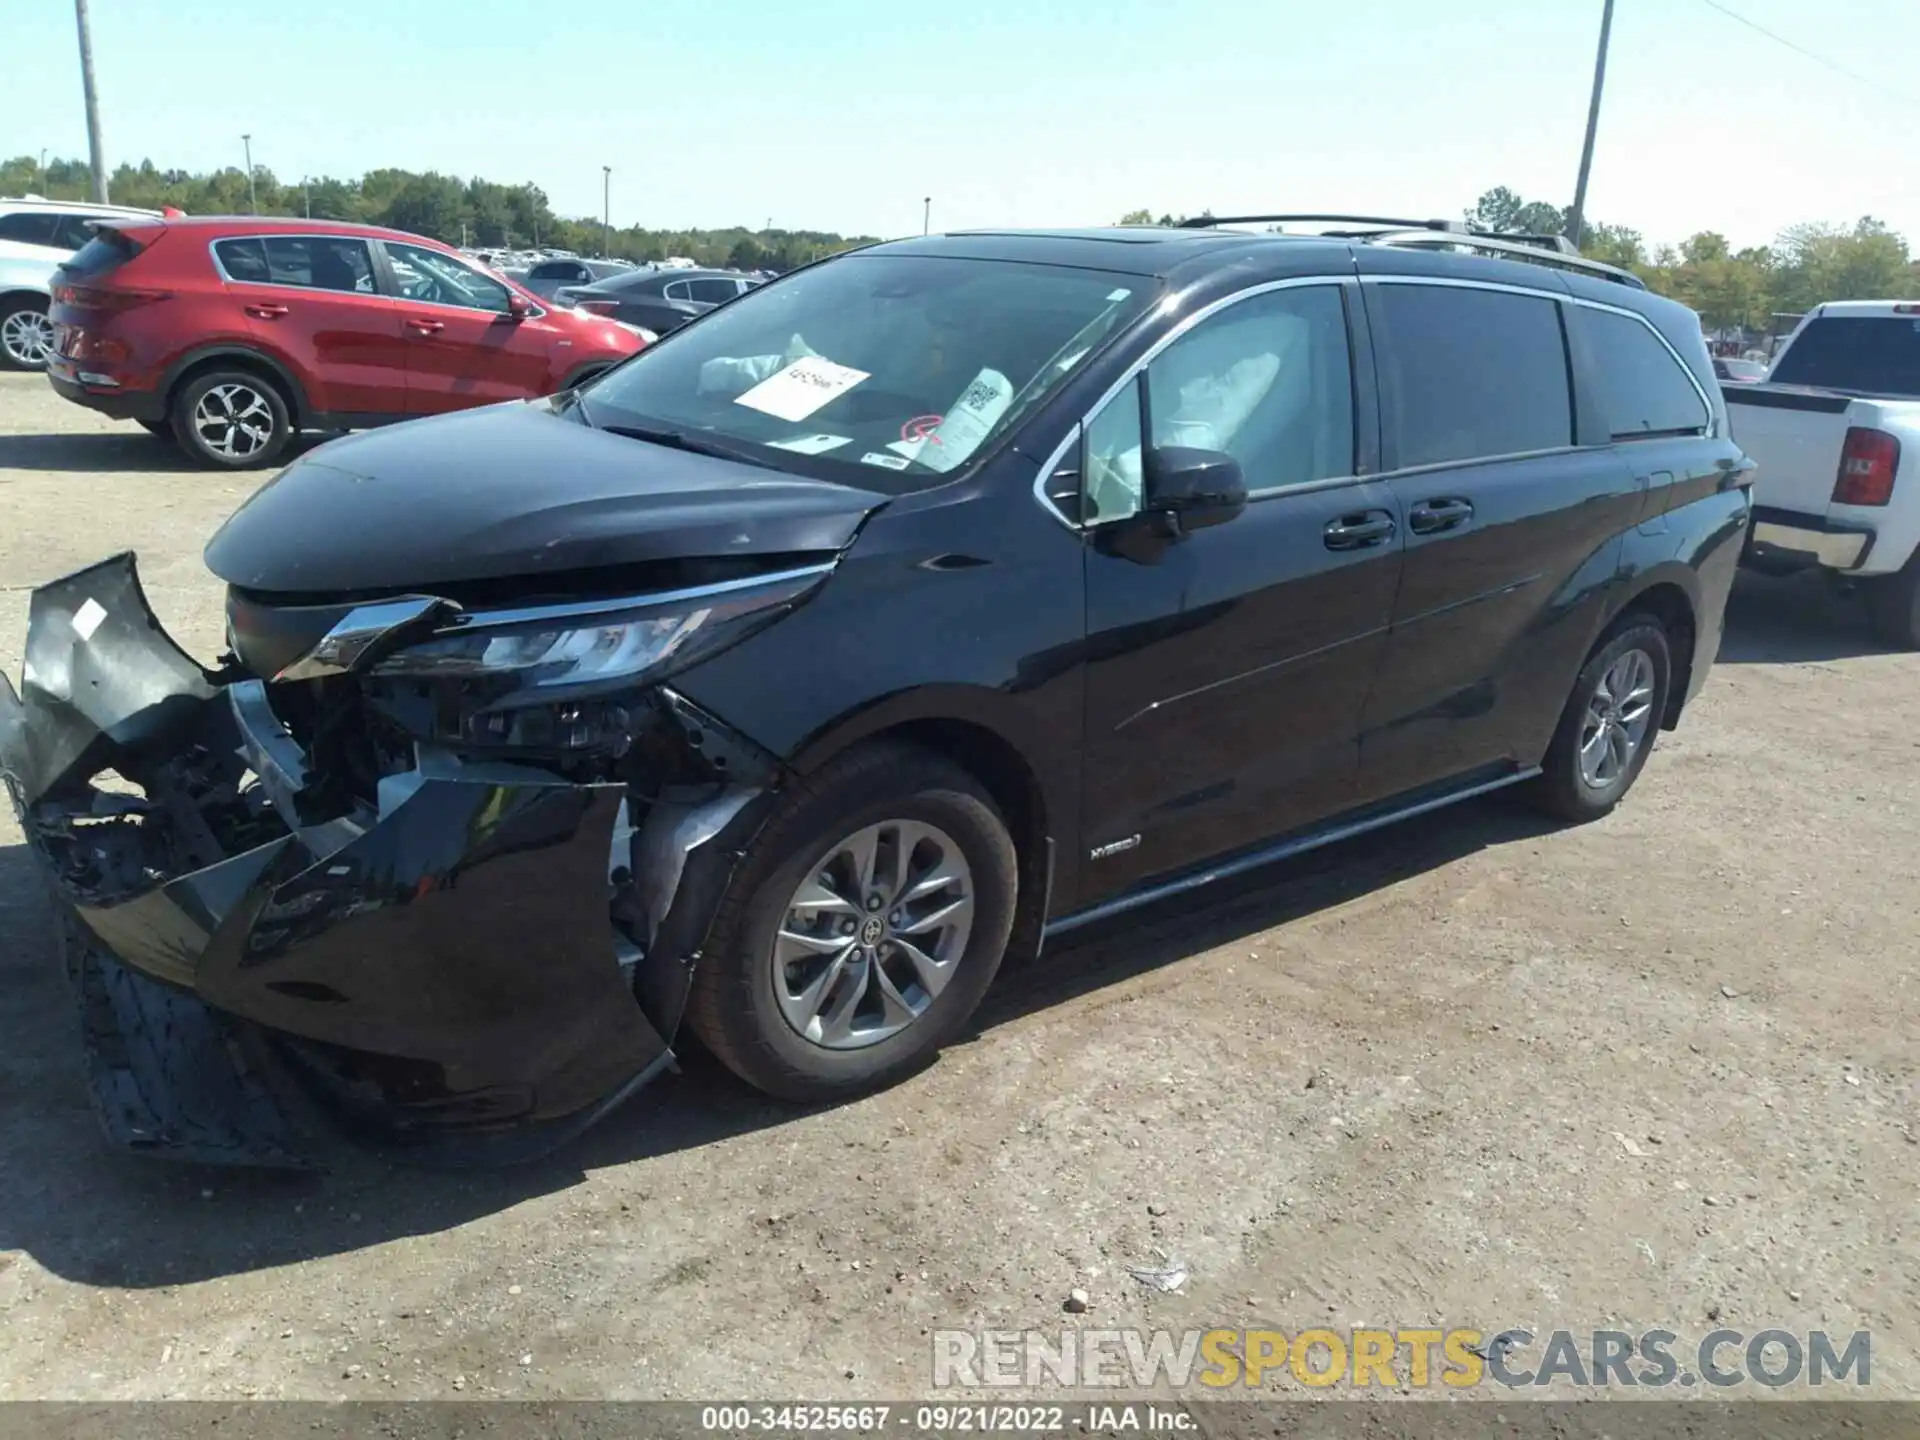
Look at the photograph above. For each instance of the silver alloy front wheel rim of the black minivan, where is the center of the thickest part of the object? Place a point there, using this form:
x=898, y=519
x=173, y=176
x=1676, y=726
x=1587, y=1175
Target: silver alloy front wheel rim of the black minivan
x=873, y=936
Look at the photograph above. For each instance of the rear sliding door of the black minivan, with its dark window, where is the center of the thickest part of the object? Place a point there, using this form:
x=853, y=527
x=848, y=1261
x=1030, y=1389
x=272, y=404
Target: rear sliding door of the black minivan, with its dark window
x=1514, y=525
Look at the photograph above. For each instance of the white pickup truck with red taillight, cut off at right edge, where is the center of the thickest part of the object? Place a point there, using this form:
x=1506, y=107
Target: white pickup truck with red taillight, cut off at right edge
x=1836, y=433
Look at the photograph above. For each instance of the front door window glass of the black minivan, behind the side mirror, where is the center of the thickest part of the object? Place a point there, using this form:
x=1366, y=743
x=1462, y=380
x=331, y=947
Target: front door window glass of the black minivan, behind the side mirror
x=1266, y=381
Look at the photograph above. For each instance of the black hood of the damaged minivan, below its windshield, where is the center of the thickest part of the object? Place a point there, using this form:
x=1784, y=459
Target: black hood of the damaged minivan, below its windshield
x=514, y=491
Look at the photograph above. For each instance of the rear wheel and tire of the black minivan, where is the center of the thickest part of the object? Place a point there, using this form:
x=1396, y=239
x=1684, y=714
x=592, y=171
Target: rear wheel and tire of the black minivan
x=1606, y=732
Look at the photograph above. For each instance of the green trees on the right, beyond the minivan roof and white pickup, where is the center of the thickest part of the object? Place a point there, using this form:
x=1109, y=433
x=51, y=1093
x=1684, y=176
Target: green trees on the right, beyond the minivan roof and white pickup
x=1729, y=289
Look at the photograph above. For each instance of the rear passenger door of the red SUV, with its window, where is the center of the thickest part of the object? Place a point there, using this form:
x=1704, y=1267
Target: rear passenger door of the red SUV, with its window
x=312, y=302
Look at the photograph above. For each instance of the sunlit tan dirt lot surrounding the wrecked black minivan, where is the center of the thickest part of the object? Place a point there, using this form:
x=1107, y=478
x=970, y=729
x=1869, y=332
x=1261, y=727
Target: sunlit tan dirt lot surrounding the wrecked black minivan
x=1476, y=1072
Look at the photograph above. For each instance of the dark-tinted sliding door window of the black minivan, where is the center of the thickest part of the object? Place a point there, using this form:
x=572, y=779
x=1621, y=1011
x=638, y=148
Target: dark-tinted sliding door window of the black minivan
x=1470, y=373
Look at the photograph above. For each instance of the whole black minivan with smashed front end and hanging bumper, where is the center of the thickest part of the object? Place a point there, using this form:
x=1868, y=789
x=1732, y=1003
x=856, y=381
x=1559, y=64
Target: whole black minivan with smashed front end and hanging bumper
x=782, y=681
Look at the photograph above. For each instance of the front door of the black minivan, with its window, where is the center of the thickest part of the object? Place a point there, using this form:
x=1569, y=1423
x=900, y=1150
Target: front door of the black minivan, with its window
x=1228, y=673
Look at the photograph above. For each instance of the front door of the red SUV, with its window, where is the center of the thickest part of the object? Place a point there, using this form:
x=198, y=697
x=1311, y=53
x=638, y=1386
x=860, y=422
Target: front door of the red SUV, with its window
x=466, y=347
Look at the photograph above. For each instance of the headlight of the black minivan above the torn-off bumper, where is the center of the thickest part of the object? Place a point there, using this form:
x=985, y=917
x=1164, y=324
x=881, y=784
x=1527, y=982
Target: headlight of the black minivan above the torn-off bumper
x=564, y=677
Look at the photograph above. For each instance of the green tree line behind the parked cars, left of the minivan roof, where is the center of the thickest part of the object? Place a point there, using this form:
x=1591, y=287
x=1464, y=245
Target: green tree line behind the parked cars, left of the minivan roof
x=439, y=206
